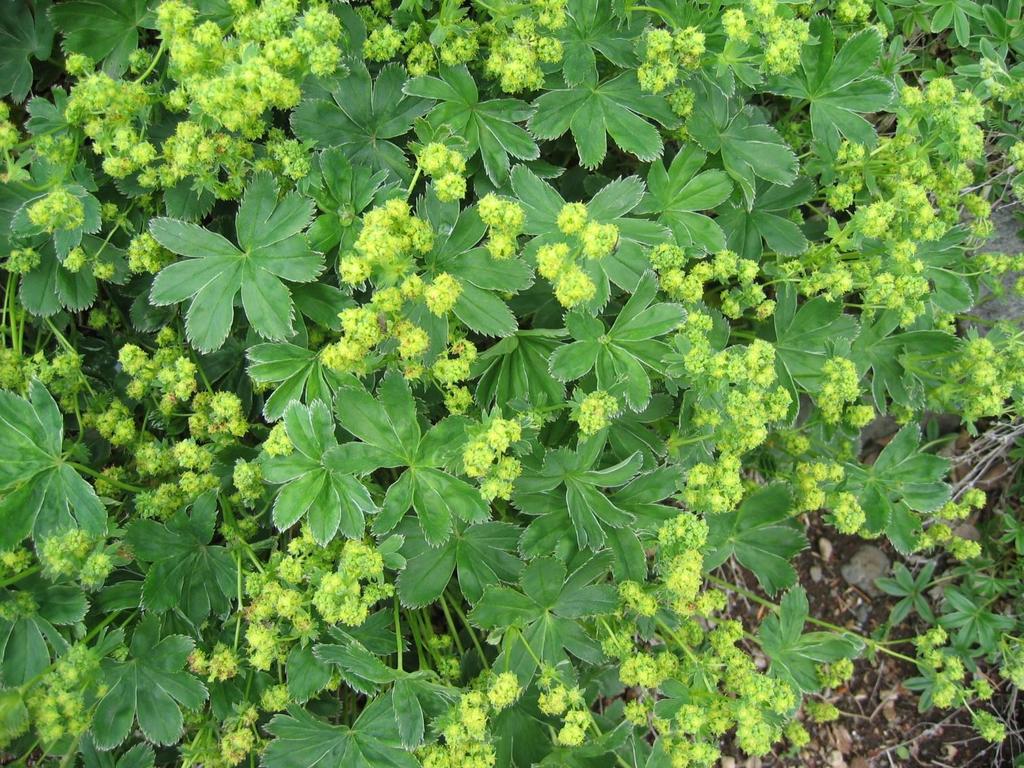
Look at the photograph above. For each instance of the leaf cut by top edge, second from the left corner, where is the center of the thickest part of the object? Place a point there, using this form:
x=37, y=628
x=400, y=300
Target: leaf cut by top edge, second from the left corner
x=103, y=30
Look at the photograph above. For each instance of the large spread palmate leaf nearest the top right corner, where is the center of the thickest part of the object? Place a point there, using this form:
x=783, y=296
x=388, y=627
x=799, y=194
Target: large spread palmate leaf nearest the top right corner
x=840, y=87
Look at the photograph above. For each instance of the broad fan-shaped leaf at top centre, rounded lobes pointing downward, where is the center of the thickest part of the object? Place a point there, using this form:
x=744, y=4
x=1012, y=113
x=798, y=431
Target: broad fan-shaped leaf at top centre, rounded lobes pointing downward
x=593, y=111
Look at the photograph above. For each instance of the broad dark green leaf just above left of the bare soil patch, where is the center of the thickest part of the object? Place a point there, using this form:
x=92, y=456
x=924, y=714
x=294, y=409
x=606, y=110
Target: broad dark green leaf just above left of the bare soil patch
x=762, y=536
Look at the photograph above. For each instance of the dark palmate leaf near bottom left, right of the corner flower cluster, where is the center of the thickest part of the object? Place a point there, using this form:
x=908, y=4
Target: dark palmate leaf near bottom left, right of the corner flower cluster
x=151, y=687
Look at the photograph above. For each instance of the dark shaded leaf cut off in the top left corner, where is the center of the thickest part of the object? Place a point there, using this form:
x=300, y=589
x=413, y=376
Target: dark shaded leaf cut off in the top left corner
x=26, y=34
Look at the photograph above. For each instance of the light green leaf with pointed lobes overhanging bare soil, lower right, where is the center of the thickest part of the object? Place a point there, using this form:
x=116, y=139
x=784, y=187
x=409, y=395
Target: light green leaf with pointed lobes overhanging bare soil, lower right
x=795, y=656
